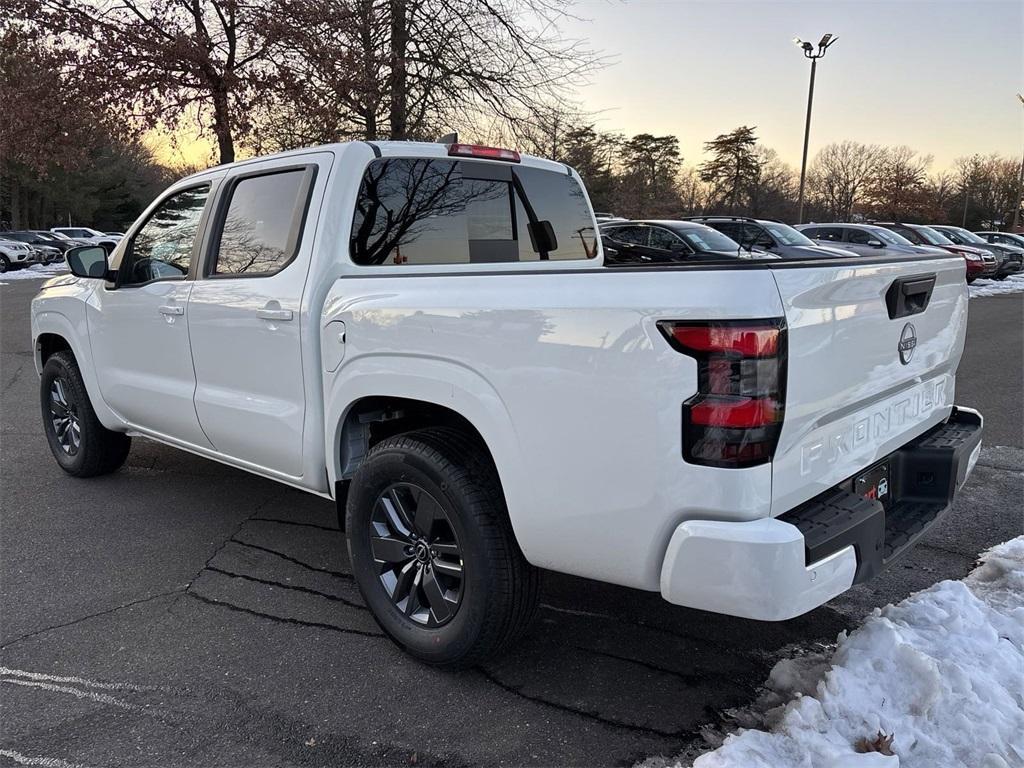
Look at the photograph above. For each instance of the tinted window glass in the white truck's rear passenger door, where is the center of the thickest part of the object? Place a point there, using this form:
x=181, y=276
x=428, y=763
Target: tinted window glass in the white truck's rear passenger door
x=263, y=225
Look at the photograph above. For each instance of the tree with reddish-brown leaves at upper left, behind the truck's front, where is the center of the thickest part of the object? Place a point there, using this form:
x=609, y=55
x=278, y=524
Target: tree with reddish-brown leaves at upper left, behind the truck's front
x=160, y=61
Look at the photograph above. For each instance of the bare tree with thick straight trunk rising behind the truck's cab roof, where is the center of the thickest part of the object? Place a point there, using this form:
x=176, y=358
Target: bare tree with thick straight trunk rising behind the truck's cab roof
x=413, y=69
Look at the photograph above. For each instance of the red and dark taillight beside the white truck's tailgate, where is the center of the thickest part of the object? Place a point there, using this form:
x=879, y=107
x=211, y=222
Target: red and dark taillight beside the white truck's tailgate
x=736, y=418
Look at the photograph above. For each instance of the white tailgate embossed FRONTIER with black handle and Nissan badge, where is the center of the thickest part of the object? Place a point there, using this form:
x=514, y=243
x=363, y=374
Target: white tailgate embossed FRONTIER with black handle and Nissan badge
x=868, y=370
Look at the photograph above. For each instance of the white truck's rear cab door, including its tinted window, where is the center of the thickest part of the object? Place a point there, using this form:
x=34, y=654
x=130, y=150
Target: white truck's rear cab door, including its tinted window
x=246, y=311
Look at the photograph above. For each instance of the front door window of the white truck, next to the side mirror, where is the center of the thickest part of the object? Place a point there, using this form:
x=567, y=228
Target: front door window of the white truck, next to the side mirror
x=163, y=248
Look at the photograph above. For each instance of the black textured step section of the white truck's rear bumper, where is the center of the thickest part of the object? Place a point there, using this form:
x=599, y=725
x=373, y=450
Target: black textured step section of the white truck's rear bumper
x=926, y=475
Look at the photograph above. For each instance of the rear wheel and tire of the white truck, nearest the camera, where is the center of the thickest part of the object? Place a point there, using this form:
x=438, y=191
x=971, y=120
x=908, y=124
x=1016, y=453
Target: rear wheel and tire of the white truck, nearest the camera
x=434, y=552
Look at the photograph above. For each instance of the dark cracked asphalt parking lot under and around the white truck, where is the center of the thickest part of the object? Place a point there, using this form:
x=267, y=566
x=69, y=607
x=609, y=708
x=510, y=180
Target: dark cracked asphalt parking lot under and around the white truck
x=181, y=613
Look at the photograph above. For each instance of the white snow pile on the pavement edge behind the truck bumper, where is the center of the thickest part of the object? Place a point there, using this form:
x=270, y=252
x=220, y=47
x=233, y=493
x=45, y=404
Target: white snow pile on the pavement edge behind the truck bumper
x=942, y=673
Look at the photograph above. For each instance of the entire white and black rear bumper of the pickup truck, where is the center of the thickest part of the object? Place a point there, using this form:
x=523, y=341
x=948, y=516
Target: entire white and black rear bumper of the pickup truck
x=778, y=569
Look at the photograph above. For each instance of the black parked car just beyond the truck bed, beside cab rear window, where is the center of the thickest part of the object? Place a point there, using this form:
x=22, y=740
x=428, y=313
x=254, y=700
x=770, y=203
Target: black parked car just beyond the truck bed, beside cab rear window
x=666, y=242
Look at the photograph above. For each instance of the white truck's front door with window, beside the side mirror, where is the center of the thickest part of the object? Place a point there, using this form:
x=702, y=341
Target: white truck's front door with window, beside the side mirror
x=139, y=326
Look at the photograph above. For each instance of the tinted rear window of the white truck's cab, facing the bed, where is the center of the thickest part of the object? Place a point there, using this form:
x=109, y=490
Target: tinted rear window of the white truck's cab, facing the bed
x=425, y=211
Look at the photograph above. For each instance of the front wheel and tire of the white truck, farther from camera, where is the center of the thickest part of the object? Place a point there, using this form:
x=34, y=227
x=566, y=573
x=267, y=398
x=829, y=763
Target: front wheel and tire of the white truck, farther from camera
x=81, y=445
